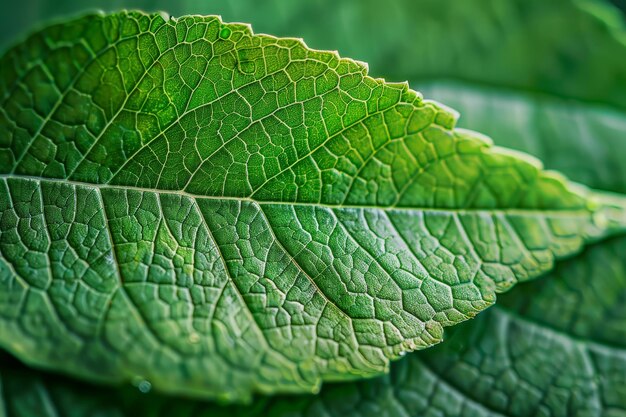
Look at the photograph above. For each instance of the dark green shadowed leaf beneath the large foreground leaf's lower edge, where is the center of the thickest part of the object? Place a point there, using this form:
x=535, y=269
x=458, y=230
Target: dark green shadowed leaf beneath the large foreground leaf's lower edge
x=548, y=348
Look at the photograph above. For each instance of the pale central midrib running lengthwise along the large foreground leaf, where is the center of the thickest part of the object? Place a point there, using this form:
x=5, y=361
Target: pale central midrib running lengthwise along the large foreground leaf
x=510, y=211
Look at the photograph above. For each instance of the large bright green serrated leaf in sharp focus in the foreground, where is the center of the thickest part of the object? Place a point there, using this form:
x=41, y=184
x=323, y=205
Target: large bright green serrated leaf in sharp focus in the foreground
x=219, y=213
